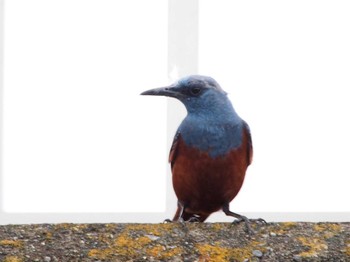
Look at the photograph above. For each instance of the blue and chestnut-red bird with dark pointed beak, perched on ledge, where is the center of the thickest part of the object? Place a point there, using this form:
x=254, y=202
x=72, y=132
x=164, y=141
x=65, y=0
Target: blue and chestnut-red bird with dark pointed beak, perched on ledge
x=211, y=150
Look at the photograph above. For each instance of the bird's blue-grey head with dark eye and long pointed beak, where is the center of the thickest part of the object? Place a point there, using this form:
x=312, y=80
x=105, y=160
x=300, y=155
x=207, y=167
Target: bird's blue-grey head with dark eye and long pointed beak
x=198, y=93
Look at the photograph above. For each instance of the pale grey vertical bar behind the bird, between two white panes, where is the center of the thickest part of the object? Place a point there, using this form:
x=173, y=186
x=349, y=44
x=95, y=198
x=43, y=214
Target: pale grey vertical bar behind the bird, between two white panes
x=182, y=60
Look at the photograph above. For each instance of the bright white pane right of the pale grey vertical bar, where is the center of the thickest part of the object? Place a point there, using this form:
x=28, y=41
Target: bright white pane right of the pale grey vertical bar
x=286, y=66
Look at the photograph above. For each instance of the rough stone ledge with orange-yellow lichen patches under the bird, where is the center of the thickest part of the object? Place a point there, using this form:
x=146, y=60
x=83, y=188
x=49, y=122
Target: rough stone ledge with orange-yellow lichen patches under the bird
x=175, y=242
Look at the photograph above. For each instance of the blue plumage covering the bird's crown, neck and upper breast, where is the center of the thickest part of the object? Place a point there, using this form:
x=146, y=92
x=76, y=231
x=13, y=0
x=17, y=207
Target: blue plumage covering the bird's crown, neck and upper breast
x=211, y=125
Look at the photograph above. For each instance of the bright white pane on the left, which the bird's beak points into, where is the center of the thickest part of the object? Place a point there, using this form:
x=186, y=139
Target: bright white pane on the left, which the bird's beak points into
x=74, y=124
